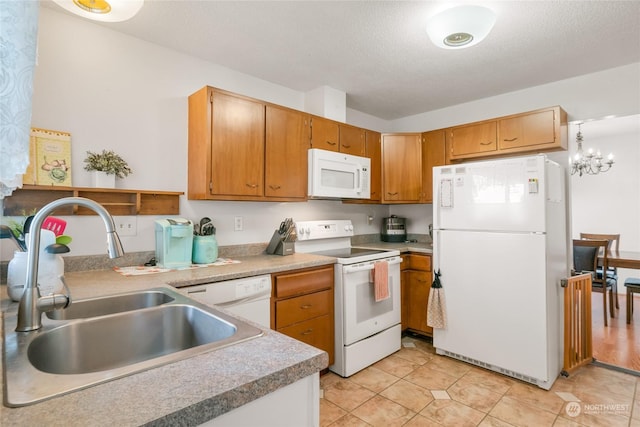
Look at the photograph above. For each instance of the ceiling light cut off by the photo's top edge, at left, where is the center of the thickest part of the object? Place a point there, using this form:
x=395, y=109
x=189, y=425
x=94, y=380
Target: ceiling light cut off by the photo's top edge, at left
x=102, y=10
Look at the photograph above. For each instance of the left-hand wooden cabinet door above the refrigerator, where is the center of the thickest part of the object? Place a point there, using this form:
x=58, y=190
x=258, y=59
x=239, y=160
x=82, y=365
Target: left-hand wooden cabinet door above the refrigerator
x=476, y=139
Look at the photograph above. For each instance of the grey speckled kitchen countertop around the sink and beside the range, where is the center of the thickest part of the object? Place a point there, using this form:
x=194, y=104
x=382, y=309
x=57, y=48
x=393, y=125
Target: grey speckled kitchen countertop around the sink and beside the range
x=197, y=389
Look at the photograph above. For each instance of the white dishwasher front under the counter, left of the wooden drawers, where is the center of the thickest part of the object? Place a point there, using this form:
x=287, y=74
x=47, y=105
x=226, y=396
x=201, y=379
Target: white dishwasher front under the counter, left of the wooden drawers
x=247, y=297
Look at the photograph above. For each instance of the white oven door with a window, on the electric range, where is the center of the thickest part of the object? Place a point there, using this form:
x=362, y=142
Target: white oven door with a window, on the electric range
x=362, y=315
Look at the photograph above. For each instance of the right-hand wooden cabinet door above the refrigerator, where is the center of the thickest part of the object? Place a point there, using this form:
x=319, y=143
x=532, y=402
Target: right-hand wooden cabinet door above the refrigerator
x=527, y=130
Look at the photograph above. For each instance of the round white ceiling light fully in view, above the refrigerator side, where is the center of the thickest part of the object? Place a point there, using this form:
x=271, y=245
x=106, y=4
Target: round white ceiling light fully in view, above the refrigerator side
x=460, y=26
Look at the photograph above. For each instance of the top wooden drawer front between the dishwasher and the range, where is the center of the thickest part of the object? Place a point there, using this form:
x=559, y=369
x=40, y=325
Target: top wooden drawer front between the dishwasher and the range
x=303, y=281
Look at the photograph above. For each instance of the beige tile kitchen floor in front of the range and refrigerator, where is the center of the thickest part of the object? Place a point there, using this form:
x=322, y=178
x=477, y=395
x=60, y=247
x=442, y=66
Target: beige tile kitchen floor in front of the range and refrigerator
x=415, y=387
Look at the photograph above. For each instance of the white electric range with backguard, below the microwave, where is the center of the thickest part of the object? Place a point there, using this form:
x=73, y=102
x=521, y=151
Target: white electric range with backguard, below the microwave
x=365, y=330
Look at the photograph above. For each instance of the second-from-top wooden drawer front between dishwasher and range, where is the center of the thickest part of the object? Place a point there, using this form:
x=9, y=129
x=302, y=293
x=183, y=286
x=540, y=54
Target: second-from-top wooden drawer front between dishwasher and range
x=299, y=309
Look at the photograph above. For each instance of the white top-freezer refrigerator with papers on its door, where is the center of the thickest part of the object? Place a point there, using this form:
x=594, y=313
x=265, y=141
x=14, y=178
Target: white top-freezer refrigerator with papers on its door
x=500, y=244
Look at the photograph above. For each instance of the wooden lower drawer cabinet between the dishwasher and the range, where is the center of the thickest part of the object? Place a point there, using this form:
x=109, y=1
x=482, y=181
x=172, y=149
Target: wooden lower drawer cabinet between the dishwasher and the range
x=302, y=306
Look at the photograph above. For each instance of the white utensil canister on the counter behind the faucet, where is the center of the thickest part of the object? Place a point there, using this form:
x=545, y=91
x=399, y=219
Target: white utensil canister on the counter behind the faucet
x=50, y=269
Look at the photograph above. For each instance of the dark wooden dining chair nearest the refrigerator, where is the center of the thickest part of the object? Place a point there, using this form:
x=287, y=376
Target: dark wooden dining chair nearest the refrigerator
x=585, y=258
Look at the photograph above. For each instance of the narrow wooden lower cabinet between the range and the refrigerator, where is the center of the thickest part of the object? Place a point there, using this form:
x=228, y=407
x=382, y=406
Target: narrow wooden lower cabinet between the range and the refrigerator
x=416, y=282
